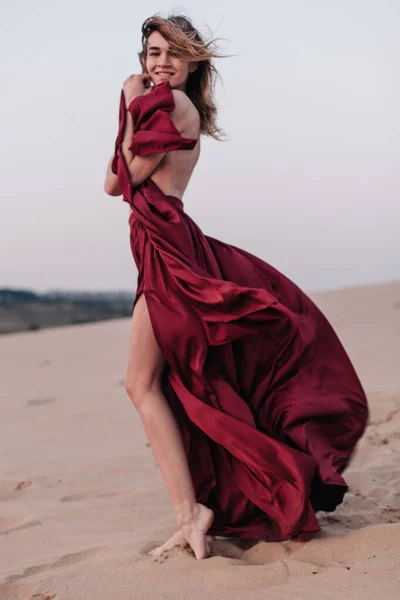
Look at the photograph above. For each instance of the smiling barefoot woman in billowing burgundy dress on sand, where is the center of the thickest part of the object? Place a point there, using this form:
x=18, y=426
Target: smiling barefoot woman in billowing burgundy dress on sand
x=249, y=401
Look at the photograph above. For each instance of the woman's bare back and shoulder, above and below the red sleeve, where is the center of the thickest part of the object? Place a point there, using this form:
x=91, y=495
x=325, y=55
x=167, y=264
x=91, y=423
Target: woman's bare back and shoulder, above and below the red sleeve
x=173, y=173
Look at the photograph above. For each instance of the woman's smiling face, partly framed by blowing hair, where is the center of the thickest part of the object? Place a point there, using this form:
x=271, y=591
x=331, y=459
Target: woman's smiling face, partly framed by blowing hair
x=162, y=65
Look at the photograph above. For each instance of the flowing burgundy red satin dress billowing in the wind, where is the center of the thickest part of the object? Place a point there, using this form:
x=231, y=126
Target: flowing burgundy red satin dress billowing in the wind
x=268, y=403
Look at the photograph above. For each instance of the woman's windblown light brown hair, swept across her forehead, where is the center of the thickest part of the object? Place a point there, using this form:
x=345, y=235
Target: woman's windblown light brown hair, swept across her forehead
x=187, y=44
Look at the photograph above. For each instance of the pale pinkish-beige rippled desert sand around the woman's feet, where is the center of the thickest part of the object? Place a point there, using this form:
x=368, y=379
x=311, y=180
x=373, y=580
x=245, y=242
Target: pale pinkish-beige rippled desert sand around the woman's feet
x=82, y=500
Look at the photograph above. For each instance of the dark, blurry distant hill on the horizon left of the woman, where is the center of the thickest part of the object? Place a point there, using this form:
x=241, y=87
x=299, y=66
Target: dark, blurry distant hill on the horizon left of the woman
x=25, y=310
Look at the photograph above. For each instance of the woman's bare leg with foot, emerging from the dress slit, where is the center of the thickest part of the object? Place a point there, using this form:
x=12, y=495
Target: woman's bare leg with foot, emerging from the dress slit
x=143, y=384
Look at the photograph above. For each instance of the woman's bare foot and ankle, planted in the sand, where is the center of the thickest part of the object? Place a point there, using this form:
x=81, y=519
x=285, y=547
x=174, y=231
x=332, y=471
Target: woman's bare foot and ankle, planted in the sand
x=192, y=533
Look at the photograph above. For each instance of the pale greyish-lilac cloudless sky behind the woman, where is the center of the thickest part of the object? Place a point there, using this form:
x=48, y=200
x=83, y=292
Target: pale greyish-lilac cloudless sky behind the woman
x=309, y=181
